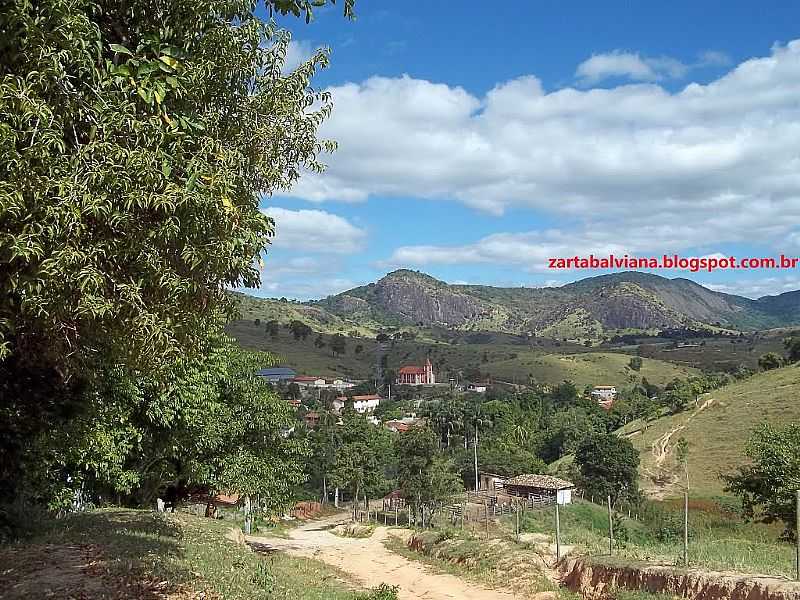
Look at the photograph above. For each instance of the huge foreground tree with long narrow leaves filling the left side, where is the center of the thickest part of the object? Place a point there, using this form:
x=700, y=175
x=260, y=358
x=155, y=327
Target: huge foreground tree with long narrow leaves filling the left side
x=133, y=166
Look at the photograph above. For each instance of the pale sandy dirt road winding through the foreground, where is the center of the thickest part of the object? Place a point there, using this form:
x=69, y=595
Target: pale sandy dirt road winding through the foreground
x=368, y=560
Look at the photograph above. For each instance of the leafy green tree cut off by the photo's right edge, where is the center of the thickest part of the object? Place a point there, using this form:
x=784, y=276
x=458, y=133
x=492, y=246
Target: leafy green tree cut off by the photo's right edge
x=767, y=486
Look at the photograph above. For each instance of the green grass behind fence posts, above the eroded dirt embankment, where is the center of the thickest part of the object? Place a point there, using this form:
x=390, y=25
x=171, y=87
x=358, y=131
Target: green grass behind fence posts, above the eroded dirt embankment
x=718, y=539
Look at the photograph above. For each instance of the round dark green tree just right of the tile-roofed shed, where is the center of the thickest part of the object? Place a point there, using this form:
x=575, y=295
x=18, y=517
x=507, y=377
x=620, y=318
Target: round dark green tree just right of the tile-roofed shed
x=609, y=467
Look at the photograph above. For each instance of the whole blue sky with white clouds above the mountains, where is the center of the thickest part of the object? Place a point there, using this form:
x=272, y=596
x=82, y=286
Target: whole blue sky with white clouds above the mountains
x=474, y=143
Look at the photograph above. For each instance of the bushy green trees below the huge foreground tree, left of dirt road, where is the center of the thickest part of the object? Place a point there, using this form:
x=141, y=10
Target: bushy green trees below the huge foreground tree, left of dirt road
x=215, y=424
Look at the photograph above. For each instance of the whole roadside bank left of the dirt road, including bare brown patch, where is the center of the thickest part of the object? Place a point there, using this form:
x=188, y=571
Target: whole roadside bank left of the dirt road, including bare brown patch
x=141, y=554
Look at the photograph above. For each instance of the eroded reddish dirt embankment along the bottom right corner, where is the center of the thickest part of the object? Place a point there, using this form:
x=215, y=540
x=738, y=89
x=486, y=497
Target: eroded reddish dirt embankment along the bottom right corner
x=598, y=582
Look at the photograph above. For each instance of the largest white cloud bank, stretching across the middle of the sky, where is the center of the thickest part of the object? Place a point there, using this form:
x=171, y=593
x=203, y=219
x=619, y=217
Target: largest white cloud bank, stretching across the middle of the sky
x=717, y=162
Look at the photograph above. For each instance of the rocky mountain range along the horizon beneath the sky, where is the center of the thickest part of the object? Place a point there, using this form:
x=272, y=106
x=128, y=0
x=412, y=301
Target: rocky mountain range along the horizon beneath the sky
x=588, y=309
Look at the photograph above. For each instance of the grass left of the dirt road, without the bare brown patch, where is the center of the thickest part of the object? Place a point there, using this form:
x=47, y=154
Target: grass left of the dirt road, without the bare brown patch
x=186, y=555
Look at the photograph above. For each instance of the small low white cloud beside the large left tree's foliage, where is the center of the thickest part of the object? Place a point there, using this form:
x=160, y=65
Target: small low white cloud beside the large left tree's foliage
x=314, y=231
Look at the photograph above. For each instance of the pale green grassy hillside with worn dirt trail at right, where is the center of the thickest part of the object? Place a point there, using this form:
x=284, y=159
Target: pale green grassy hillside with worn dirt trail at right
x=717, y=435
